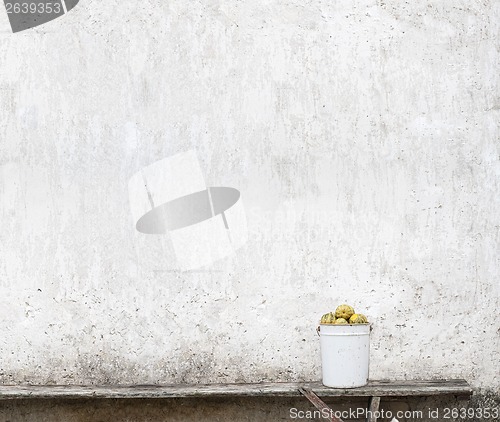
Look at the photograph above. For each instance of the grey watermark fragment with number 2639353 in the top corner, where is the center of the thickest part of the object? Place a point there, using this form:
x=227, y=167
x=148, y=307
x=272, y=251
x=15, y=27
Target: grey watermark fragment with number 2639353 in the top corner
x=25, y=14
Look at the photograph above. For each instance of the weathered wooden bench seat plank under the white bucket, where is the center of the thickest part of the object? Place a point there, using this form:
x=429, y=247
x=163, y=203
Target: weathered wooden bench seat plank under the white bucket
x=291, y=389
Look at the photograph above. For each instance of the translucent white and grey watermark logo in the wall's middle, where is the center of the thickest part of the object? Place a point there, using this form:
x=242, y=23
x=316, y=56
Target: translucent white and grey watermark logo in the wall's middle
x=170, y=197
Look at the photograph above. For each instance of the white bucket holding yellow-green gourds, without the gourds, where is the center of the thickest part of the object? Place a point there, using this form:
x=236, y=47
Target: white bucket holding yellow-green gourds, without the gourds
x=345, y=354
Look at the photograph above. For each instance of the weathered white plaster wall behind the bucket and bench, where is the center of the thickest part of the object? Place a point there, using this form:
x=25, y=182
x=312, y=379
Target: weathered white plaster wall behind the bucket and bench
x=363, y=135
